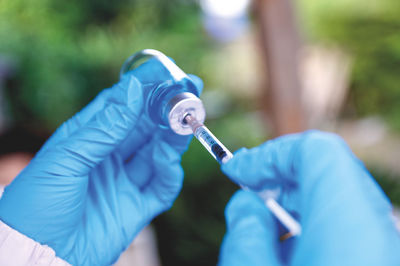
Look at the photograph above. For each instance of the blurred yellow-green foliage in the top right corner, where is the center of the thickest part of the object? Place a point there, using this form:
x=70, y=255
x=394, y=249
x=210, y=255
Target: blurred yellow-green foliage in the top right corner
x=369, y=32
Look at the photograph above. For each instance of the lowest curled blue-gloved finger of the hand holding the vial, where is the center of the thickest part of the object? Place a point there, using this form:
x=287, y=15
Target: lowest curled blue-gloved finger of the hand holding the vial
x=166, y=180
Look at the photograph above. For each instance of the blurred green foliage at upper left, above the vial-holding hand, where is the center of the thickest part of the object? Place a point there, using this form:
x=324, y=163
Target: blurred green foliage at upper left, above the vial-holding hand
x=65, y=52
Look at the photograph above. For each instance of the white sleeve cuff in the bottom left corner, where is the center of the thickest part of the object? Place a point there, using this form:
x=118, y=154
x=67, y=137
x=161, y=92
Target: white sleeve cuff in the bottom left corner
x=17, y=249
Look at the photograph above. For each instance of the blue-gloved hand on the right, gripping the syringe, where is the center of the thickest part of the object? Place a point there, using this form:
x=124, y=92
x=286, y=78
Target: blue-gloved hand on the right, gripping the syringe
x=345, y=217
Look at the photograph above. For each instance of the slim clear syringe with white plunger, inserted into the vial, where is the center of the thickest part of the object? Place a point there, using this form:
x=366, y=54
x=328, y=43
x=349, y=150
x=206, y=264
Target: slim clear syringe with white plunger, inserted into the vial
x=223, y=155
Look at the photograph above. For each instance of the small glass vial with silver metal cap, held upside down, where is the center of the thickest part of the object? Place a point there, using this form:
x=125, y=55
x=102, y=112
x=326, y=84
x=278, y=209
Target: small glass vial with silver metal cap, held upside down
x=174, y=96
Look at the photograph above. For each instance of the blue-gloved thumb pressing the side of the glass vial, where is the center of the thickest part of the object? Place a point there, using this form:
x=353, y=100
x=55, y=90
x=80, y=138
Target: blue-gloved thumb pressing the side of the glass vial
x=95, y=140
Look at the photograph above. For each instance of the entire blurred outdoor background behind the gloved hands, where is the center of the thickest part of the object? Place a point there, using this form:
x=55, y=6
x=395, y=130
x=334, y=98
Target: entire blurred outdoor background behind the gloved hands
x=269, y=68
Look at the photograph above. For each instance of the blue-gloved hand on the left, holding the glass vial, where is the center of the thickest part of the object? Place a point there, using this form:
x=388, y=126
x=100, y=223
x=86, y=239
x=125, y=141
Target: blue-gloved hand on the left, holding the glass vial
x=103, y=176
